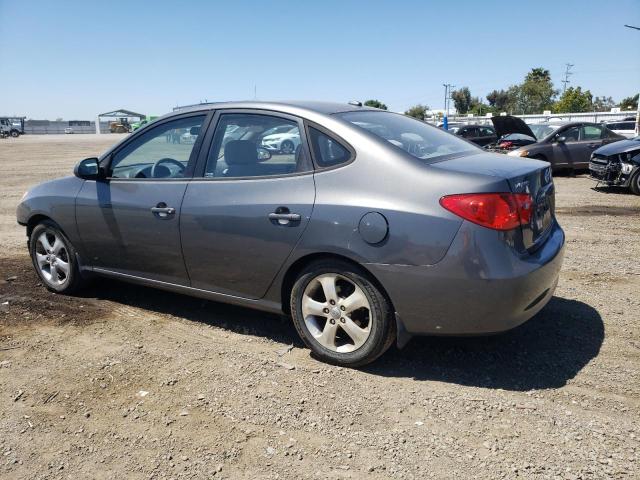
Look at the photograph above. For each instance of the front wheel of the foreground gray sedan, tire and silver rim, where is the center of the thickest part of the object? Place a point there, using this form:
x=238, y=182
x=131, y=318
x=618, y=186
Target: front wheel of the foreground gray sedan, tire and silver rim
x=49, y=257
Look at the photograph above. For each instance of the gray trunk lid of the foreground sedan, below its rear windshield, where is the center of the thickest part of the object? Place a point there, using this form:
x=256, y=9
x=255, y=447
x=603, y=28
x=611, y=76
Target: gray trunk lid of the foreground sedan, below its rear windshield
x=523, y=175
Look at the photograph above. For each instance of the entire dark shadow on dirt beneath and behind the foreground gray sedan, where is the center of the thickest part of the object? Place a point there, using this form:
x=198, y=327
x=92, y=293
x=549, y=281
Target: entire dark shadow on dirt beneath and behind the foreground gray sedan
x=546, y=352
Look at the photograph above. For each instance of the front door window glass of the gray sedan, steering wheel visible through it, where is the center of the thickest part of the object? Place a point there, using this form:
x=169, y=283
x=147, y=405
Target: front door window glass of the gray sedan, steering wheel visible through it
x=162, y=152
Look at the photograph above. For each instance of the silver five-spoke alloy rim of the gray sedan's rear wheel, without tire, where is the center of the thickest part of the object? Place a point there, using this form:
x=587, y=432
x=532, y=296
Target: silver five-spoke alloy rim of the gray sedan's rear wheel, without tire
x=336, y=312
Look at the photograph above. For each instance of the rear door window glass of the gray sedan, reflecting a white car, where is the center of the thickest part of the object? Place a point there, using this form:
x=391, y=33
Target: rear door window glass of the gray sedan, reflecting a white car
x=255, y=145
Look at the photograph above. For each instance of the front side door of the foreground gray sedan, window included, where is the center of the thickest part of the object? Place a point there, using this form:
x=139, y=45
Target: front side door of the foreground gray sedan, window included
x=129, y=222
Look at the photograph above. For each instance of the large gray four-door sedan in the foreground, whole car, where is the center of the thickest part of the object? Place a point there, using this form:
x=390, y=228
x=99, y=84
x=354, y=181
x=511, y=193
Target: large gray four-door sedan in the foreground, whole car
x=364, y=240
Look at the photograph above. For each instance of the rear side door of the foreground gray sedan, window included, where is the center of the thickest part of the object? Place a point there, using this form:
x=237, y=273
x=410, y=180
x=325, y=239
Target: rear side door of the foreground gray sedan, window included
x=248, y=205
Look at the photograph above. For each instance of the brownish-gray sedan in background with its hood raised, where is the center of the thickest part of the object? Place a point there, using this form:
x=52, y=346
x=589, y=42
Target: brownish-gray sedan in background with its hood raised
x=566, y=146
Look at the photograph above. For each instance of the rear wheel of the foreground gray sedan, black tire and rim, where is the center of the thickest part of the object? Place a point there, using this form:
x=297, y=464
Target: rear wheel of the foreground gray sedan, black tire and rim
x=356, y=328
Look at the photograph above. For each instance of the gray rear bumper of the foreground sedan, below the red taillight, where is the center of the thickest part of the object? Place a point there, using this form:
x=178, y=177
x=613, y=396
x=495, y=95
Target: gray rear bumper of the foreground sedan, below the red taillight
x=482, y=286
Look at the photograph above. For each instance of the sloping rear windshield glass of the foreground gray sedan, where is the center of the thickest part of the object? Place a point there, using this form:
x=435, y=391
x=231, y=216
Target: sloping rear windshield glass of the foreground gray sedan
x=417, y=138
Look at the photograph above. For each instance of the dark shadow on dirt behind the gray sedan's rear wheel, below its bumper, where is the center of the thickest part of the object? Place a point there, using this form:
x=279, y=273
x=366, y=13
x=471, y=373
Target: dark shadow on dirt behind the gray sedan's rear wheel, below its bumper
x=546, y=352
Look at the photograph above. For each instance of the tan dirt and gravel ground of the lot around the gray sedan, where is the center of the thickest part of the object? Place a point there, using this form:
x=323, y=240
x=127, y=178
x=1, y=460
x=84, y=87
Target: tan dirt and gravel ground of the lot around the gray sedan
x=128, y=382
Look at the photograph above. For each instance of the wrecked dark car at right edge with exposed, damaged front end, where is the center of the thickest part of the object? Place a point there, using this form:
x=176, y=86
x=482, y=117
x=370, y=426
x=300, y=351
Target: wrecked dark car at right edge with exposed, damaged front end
x=618, y=164
